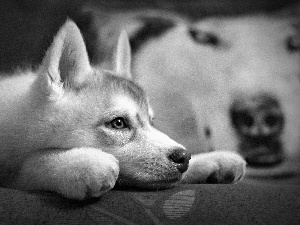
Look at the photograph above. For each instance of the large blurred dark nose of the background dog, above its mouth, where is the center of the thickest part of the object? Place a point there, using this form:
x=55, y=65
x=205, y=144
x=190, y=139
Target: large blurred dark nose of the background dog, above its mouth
x=257, y=117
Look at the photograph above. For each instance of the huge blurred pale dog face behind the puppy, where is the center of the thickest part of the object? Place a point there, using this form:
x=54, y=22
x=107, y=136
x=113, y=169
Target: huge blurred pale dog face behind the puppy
x=227, y=83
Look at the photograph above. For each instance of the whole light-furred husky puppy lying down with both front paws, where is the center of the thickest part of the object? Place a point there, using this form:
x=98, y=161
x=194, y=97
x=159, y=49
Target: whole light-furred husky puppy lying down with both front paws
x=77, y=130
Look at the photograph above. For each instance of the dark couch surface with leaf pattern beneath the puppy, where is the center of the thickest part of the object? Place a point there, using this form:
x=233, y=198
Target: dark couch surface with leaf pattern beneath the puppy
x=243, y=203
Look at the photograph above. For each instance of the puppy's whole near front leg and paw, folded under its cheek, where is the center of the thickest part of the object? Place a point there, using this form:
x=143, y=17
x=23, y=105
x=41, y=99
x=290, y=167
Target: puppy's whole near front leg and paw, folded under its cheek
x=76, y=173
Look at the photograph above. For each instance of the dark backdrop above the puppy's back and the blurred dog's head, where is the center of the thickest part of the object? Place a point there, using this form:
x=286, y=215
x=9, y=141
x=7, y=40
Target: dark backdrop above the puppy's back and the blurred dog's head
x=27, y=26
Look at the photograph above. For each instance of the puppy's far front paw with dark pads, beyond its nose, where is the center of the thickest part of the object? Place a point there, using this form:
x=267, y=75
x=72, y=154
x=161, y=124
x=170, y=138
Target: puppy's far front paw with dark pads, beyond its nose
x=216, y=167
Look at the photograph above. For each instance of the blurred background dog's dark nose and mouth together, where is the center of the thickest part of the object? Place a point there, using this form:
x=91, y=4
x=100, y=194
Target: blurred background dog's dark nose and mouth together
x=259, y=122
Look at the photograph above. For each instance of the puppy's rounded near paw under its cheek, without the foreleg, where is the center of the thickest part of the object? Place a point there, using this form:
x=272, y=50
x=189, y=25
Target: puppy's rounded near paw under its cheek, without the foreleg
x=89, y=173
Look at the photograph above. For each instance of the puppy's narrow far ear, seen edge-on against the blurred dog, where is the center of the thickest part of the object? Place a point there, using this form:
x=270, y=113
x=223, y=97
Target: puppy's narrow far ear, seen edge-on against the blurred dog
x=123, y=56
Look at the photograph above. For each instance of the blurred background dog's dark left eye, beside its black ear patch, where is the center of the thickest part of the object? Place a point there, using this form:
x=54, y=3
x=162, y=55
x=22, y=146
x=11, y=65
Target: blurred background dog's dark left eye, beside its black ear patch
x=205, y=38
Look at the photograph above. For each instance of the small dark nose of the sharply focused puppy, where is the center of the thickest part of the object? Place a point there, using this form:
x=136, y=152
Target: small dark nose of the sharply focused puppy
x=181, y=157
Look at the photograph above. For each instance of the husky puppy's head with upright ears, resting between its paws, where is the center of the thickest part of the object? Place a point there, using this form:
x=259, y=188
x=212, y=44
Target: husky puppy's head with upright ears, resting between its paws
x=82, y=106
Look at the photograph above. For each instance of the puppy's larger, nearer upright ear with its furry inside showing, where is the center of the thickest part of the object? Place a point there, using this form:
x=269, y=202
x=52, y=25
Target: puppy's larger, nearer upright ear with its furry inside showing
x=66, y=65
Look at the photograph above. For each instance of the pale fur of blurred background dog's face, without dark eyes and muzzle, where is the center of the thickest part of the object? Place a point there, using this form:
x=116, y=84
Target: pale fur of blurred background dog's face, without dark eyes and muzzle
x=192, y=85
